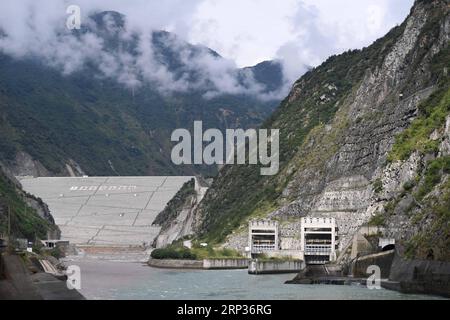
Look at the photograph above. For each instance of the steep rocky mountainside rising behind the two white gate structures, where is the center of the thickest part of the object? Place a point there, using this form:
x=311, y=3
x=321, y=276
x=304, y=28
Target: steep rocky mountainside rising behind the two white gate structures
x=364, y=139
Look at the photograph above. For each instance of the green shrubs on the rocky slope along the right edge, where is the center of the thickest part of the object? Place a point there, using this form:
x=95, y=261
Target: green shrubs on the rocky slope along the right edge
x=429, y=212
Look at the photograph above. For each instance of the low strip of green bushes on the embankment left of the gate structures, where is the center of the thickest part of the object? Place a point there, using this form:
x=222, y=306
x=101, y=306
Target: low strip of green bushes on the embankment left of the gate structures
x=178, y=252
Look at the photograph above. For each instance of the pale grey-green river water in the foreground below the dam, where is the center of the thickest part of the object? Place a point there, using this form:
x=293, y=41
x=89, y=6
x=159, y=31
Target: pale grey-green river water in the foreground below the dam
x=106, y=280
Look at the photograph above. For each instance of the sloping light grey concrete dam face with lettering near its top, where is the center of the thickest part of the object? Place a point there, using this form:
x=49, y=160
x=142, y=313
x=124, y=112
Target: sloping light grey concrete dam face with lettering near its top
x=106, y=211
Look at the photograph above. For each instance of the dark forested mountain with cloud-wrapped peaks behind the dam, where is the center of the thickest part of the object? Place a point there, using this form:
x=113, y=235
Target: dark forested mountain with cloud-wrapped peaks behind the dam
x=113, y=113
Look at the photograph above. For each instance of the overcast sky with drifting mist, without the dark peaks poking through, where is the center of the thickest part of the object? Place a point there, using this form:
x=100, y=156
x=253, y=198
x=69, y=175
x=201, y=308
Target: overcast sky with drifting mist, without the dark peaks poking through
x=300, y=33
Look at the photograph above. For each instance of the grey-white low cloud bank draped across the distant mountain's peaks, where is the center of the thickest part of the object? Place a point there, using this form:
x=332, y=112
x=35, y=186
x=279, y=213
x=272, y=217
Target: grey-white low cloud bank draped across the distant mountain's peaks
x=39, y=31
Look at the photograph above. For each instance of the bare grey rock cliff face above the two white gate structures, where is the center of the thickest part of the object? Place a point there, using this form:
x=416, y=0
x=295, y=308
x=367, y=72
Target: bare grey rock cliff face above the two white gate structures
x=334, y=170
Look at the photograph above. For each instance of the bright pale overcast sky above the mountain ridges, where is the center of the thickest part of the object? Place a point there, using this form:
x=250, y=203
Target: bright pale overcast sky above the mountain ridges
x=248, y=31
